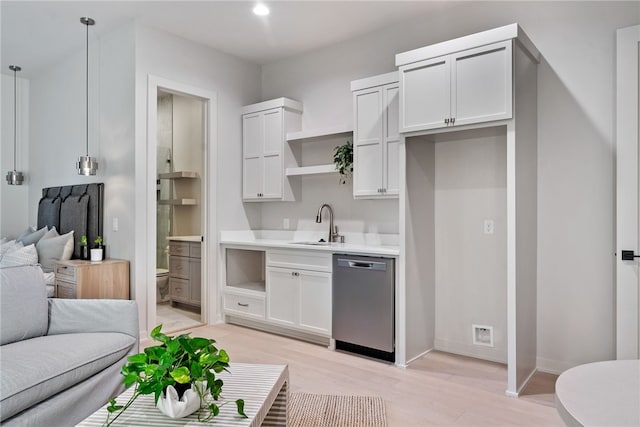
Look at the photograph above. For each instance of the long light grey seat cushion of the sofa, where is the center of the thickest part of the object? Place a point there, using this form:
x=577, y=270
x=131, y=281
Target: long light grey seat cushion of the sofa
x=38, y=368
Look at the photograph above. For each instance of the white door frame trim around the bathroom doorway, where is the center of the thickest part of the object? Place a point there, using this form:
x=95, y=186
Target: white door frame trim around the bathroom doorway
x=209, y=308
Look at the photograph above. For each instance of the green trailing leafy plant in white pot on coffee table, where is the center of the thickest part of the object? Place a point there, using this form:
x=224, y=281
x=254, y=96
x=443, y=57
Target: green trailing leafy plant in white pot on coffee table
x=180, y=360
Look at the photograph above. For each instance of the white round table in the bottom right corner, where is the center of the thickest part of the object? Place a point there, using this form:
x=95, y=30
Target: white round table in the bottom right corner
x=600, y=394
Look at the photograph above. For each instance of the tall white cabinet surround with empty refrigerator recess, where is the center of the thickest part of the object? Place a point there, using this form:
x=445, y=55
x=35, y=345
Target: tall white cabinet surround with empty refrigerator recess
x=481, y=87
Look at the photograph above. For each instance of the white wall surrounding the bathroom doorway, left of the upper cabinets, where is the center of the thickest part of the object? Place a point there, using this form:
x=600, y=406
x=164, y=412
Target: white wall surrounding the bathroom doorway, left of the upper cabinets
x=235, y=83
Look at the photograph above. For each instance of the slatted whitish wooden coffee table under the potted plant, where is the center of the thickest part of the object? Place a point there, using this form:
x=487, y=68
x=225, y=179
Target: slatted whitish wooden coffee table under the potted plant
x=264, y=388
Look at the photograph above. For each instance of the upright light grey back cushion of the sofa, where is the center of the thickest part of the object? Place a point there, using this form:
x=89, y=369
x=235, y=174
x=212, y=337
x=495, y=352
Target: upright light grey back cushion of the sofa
x=23, y=304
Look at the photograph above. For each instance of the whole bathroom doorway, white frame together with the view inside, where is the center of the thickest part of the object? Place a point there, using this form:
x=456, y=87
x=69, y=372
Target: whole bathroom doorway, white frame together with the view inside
x=180, y=252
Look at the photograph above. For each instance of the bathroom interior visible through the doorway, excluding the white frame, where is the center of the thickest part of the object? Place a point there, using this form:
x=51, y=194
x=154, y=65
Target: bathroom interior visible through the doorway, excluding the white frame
x=179, y=227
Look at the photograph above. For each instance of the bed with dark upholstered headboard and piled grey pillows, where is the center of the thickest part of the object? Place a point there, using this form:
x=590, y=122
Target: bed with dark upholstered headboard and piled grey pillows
x=65, y=214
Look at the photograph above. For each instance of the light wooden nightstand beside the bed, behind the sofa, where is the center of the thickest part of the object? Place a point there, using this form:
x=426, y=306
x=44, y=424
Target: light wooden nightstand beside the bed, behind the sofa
x=108, y=279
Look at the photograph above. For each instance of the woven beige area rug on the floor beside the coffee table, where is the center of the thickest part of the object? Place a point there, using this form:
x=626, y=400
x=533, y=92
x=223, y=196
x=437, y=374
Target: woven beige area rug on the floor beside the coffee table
x=318, y=410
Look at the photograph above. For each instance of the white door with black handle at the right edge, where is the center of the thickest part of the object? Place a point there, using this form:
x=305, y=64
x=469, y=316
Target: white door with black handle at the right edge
x=627, y=188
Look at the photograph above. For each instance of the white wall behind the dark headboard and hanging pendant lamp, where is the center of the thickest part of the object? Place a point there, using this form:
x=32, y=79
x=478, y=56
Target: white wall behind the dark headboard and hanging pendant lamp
x=57, y=112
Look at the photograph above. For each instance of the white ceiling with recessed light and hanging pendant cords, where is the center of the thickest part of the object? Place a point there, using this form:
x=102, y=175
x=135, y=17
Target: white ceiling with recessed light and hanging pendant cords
x=38, y=33
